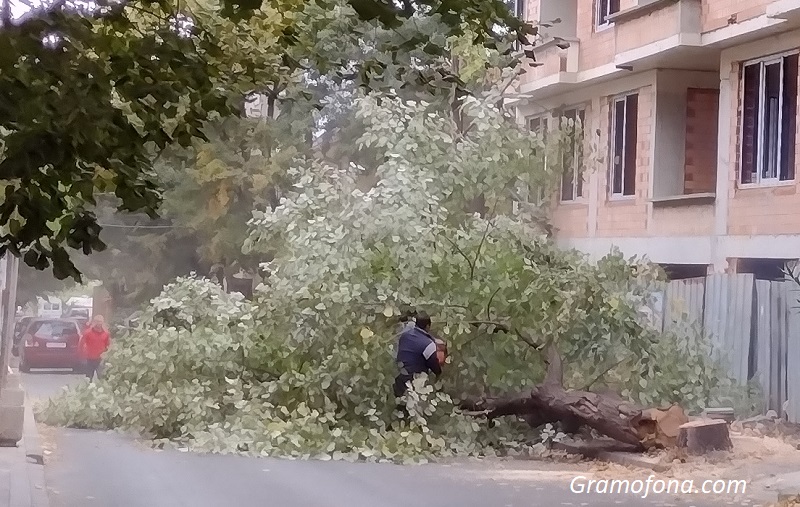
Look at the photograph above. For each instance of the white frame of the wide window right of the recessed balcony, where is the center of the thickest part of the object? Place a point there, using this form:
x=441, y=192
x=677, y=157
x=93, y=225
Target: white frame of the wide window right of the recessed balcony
x=759, y=181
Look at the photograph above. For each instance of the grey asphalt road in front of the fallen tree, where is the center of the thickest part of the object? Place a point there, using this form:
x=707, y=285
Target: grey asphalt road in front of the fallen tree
x=104, y=469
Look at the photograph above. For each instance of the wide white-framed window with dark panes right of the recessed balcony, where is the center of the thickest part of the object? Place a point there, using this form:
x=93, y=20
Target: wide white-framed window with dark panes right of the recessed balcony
x=769, y=118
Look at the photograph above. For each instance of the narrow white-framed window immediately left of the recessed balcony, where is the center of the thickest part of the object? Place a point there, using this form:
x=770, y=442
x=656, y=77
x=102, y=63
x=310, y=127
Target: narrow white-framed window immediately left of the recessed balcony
x=624, y=119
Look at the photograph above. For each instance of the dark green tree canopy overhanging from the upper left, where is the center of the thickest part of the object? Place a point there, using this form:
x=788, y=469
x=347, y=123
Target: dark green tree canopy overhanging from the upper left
x=89, y=94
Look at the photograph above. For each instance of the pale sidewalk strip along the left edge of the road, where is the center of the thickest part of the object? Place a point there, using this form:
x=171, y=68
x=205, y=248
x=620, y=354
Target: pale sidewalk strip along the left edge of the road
x=22, y=482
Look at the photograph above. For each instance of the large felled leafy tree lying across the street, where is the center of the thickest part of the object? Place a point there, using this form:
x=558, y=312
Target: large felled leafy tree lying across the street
x=306, y=369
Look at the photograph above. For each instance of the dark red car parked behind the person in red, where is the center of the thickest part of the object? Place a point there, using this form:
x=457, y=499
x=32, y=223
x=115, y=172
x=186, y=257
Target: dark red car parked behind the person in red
x=50, y=343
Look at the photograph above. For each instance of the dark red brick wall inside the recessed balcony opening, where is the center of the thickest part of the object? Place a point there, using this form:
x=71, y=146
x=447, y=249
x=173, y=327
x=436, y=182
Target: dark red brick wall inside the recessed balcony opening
x=702, y=118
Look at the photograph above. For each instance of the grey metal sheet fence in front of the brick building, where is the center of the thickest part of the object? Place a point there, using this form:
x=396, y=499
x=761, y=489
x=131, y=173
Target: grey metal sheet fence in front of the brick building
x=754, y=326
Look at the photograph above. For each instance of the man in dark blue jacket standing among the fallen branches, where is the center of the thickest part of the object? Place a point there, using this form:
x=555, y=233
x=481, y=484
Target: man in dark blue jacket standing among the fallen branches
x=416, y=353
